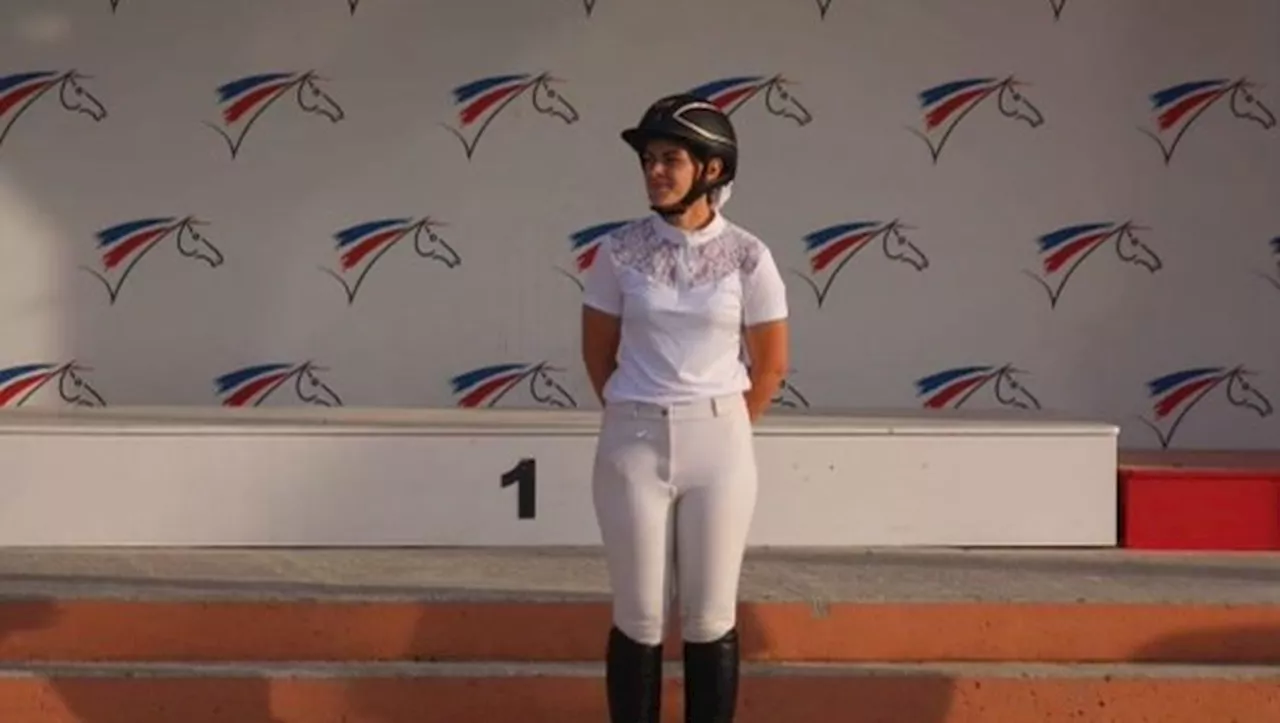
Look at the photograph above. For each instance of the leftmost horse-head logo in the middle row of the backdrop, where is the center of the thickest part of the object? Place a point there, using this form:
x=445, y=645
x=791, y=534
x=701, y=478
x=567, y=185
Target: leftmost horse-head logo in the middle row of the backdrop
x=124, y=246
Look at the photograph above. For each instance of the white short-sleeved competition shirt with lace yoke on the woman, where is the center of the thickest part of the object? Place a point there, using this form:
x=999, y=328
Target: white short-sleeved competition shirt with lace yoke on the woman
x=684, y=299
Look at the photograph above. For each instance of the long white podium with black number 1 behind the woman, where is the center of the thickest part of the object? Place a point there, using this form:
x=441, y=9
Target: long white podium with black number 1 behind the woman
x=502, y=478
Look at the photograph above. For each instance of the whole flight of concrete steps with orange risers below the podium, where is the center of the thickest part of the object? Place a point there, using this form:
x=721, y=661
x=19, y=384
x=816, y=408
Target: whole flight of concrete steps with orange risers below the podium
x=460, y=637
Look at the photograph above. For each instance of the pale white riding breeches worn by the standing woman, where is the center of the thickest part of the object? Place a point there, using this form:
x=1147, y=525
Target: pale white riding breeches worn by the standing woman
x=675, y=491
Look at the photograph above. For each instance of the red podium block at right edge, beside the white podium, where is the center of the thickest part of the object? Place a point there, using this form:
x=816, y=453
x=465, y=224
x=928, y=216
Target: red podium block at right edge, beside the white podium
x=1200, y=502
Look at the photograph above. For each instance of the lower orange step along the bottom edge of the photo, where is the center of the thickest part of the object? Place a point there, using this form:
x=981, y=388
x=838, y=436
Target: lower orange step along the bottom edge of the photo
x=561, y=694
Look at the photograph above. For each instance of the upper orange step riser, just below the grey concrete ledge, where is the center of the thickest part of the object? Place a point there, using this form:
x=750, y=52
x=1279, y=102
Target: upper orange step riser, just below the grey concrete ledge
x=794, y=633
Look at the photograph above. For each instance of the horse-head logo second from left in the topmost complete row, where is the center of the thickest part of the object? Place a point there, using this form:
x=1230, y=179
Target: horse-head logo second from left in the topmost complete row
x=245, y=100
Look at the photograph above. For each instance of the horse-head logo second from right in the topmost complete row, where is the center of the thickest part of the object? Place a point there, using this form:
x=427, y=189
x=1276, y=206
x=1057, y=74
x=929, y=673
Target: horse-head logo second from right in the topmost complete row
x=947, y=106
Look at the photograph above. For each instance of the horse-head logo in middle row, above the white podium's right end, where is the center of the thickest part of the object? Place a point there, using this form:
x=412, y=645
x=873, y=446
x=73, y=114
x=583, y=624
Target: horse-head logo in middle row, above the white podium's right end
x=1064, y=250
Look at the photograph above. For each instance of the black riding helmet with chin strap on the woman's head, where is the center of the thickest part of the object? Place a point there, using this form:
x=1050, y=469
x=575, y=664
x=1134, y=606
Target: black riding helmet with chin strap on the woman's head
x=705, y=130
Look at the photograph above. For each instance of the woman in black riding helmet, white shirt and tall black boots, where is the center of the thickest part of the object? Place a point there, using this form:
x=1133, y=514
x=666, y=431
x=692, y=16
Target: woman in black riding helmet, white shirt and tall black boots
x=668, y=308
